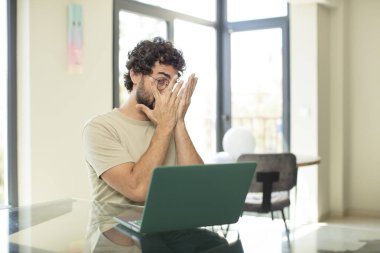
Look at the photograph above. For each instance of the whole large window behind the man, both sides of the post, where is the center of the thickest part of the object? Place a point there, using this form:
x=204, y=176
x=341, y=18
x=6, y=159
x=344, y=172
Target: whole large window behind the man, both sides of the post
x=245, y=84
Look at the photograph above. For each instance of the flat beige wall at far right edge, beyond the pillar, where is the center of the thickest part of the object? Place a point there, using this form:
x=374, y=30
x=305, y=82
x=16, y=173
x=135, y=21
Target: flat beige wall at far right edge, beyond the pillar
x=363, y=103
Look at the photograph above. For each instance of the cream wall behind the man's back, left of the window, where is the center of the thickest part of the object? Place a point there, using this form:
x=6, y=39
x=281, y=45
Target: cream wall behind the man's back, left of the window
x=54, y=104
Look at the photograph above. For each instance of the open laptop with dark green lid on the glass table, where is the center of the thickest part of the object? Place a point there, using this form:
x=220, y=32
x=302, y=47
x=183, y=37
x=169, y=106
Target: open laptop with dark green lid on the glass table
x=182, y=197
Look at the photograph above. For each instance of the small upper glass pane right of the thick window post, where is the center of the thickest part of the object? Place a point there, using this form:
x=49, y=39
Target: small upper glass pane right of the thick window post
x=239, y=10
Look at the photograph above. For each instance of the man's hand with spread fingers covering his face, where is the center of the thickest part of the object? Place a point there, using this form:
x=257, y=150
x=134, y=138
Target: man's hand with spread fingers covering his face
x=166, y=105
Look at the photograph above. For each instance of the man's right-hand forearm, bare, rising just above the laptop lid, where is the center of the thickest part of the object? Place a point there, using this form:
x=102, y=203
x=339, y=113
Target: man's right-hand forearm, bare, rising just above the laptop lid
x=186, y=152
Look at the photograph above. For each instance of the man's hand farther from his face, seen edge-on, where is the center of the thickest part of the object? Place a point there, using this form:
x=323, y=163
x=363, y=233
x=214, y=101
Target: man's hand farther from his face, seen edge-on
x=185, y=97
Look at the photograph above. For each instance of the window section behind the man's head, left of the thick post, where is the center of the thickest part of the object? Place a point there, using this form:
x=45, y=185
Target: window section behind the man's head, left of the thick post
x=195, y=37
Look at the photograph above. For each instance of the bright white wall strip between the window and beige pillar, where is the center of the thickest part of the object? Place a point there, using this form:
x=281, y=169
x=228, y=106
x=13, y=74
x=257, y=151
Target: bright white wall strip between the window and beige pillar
x=304, y=104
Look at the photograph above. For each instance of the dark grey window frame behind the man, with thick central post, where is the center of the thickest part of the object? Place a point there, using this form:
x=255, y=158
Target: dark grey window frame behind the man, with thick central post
x=223, y=32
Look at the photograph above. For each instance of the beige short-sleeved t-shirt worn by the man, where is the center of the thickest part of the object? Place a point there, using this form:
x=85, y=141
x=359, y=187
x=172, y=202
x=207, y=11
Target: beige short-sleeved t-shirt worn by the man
x=112, y=139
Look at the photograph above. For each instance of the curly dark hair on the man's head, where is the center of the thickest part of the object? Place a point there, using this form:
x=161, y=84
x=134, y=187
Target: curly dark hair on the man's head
x=143, y=57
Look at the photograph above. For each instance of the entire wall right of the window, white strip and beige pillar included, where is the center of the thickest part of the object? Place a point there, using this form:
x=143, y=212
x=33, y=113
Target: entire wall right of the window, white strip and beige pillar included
x=336, y=48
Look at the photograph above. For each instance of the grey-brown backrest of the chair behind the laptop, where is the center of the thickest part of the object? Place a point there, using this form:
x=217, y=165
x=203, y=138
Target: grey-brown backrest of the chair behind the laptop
x=284, y=163
